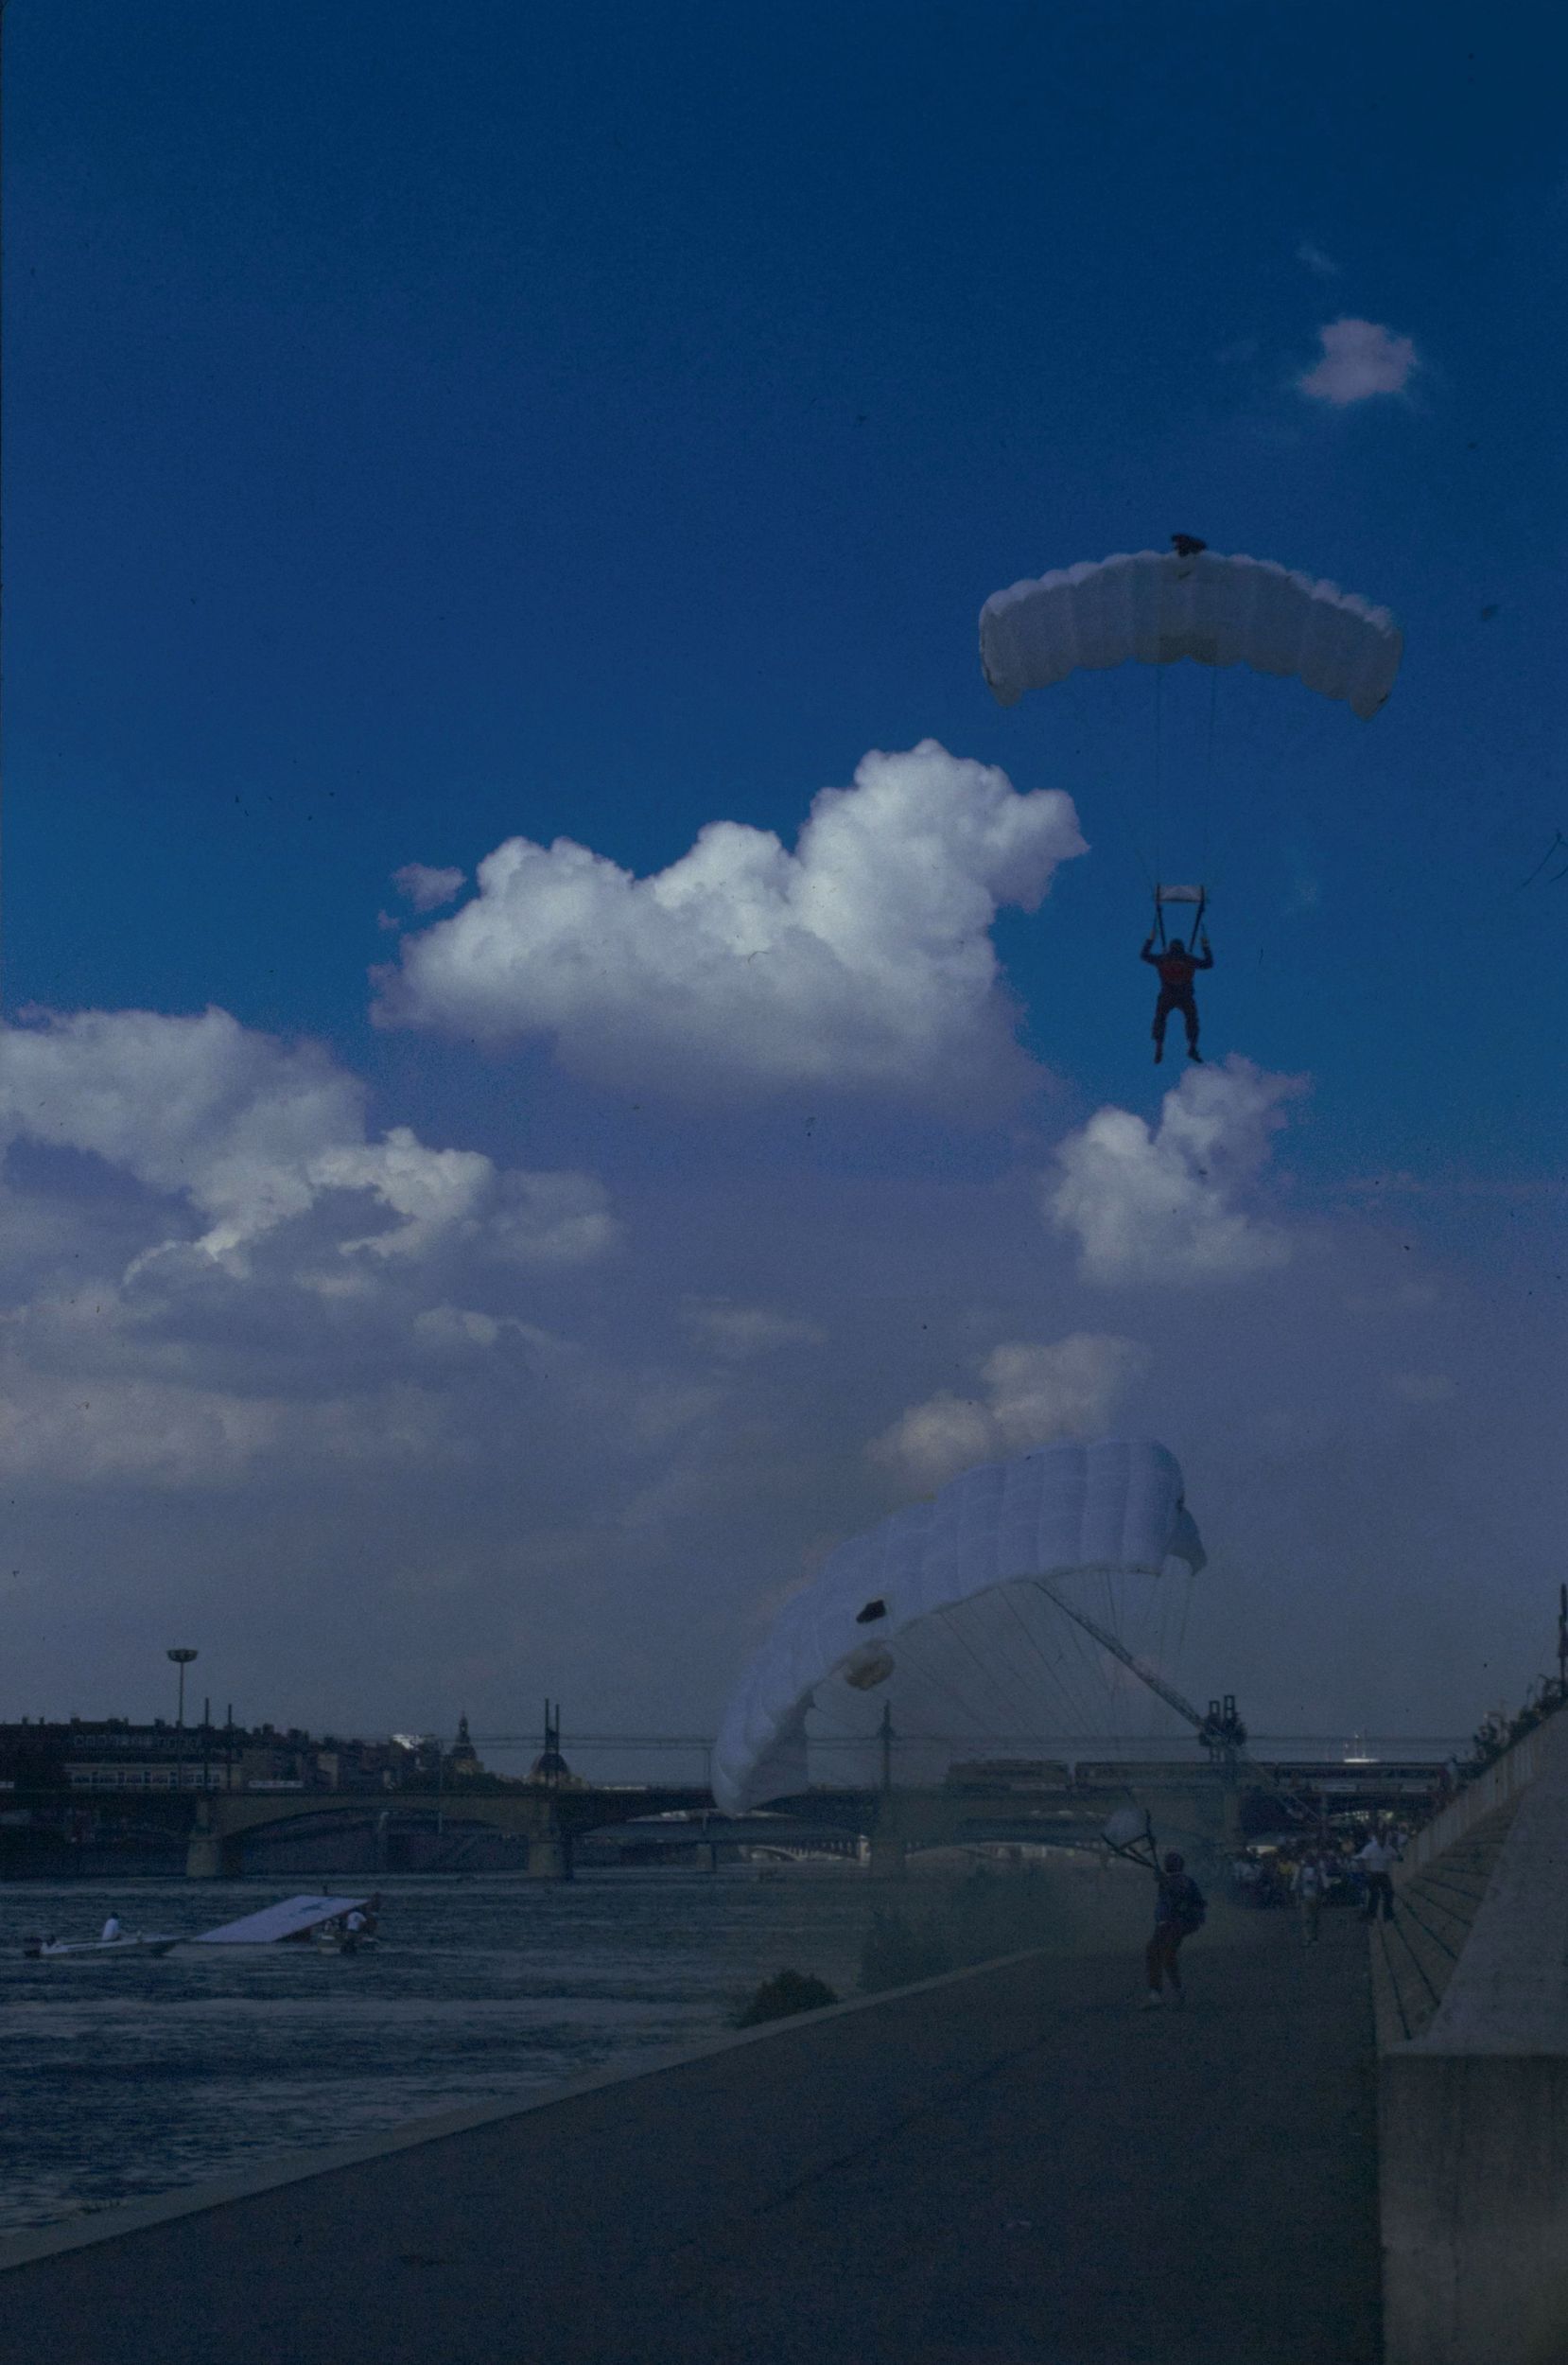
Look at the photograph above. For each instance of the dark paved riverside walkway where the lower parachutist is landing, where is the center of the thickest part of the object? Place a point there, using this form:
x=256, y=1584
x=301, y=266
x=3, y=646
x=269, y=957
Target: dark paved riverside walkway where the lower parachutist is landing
x=1002, y=2168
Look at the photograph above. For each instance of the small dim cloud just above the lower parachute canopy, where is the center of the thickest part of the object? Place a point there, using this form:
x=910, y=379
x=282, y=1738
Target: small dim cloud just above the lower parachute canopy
x=1030, y=1397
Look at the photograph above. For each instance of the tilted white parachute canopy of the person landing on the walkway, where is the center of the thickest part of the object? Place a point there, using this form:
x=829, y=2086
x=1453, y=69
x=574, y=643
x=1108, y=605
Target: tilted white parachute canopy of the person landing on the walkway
x=945, y=1612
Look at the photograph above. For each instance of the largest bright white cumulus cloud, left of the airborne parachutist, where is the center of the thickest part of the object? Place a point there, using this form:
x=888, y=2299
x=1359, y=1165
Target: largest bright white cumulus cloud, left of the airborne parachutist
x=862, y=959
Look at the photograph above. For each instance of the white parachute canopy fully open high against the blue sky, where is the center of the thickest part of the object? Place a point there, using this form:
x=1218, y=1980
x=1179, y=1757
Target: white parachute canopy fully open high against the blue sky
x=1160, y=607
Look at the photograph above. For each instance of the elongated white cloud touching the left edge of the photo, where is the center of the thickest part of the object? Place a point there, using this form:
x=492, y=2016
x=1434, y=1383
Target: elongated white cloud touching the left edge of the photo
x=254, y=1134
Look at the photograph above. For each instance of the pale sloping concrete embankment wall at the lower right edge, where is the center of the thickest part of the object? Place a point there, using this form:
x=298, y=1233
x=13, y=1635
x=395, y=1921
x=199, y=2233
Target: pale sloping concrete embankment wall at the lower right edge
x=1475, y=2073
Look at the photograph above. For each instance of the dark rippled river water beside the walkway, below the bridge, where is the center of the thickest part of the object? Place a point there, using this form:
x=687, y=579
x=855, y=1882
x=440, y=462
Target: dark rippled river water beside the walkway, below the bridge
x=124, y=2078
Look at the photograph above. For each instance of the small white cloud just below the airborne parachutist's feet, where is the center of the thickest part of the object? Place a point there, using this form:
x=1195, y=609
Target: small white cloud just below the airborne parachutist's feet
x=1169, y=1205
